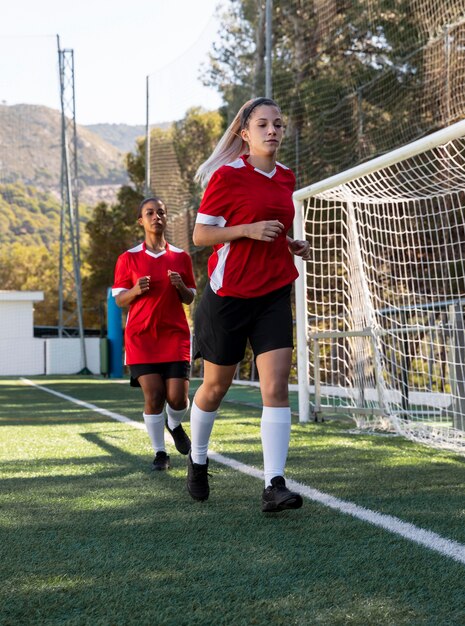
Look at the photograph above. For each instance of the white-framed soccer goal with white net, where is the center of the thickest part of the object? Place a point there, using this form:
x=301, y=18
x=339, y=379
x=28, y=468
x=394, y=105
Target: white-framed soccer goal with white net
x=381, y=305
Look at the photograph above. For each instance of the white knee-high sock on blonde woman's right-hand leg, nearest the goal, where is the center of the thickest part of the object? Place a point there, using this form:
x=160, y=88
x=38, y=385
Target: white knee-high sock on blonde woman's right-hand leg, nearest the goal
x=276, y=433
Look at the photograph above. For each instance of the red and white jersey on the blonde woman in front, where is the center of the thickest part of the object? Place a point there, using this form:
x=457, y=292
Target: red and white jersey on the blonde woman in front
x=237, y=194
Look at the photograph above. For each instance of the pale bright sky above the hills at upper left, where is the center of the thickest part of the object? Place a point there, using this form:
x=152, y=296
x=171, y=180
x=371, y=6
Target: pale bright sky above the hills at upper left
x=116, y=46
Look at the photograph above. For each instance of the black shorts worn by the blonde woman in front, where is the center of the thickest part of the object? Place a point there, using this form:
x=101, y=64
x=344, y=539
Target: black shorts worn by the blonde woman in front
x=223, y=324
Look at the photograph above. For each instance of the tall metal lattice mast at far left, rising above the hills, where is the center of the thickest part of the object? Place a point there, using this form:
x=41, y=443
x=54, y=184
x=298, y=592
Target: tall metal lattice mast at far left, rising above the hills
x=70, y=313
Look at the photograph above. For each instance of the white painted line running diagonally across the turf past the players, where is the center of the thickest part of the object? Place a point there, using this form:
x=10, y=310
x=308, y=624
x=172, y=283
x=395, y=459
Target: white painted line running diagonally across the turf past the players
x=426, y=538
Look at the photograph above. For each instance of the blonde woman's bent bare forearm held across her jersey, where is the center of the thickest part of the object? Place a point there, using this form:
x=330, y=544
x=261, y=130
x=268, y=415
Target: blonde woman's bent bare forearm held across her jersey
x=206, y=235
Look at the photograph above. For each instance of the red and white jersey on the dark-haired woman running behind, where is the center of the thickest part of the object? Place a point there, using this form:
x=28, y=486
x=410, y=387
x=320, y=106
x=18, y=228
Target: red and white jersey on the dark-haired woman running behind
x=156, y=328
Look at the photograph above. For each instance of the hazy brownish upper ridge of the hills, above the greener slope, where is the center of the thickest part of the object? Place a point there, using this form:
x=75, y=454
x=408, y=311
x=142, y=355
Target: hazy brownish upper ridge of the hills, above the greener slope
x=30, y=153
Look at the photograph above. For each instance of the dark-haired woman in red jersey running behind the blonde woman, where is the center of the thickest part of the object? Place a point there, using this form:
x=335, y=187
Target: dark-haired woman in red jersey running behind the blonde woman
x=155, y=279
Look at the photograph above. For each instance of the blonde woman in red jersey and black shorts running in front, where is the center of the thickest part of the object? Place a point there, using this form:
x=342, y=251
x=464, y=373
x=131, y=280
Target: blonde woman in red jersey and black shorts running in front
x=245, y=214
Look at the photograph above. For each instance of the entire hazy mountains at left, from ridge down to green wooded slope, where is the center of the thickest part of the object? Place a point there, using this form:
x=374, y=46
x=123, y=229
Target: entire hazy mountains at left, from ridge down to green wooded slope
x=30, y=170
